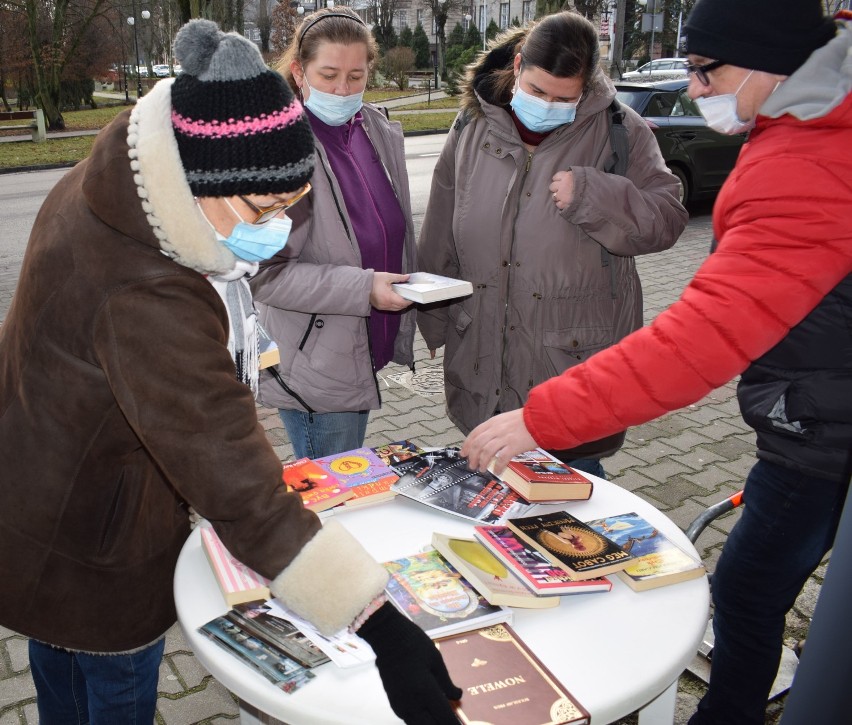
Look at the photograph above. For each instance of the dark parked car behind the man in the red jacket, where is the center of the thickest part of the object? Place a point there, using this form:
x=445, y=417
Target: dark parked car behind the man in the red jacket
x=700, y=157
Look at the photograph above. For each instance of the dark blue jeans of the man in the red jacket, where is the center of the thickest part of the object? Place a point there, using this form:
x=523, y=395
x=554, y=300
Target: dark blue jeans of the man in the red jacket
x=787, y=526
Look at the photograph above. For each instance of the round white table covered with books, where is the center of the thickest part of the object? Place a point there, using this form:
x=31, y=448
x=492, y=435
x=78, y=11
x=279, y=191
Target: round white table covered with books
x=617, y=652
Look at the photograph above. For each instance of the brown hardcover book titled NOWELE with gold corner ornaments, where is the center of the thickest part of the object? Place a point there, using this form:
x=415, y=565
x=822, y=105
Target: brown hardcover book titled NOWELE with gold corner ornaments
x=504, y=683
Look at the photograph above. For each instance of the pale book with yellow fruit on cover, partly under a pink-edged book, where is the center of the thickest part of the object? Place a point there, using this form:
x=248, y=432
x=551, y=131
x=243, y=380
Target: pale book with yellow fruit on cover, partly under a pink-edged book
x=488, y=575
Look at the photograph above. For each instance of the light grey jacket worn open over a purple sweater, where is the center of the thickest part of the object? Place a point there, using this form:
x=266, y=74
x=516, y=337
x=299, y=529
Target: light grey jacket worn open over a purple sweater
x=313, y=297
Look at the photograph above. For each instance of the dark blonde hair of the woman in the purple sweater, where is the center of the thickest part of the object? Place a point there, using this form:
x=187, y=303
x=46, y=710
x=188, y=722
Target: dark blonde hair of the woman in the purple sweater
x=339, y=24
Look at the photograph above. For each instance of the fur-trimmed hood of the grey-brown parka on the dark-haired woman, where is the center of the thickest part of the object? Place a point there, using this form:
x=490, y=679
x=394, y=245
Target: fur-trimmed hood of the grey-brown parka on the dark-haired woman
x=479, y=79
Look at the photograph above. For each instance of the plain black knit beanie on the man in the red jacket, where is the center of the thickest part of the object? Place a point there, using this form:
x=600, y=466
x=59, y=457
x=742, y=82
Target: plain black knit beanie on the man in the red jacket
x=775, y=36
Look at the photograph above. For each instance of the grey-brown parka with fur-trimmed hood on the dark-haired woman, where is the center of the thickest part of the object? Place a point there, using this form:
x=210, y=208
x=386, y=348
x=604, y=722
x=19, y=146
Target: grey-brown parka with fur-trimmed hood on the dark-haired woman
x=551, y=287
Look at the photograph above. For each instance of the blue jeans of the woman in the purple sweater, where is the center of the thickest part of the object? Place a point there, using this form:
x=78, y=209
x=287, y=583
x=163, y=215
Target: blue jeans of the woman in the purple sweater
x=314, y=435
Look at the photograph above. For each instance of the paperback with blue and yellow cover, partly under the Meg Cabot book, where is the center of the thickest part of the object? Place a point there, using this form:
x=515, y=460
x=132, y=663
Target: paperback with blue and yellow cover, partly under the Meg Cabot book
x=659, y=561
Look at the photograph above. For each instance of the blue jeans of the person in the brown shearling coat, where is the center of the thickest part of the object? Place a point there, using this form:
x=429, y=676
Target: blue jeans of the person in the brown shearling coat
x=75, y=688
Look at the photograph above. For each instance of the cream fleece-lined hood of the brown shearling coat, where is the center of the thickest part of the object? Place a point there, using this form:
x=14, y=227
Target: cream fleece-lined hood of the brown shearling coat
x=153, y=204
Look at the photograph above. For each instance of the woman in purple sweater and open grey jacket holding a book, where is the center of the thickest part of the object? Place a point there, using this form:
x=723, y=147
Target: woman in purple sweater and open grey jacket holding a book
x=326, y=299
